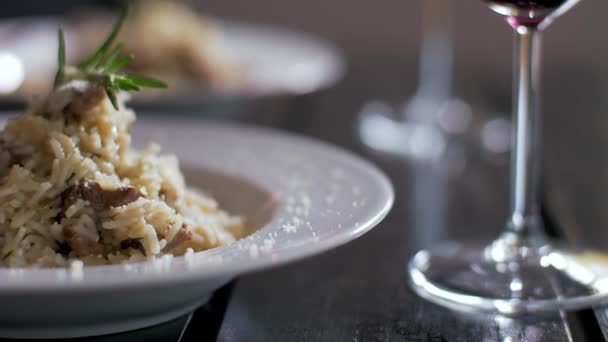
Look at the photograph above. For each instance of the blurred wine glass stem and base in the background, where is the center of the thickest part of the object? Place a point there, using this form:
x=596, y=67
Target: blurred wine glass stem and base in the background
x=420, y=130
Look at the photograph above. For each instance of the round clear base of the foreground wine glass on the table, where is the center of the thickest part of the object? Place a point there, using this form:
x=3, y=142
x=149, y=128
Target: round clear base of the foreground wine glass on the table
x=467, y=278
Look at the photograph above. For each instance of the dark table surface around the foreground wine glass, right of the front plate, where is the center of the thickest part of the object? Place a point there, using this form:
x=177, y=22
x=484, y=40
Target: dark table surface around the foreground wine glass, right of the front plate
x=359, y=293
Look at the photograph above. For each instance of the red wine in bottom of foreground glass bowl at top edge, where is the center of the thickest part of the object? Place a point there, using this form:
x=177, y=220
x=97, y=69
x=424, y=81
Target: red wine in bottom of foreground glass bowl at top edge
x=524, y=12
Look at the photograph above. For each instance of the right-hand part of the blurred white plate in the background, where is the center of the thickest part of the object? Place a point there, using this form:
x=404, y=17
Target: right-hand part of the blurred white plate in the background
x=281, y=61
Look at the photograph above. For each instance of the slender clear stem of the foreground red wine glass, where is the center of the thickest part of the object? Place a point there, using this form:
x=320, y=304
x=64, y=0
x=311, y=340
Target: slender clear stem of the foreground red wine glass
x=526, y=158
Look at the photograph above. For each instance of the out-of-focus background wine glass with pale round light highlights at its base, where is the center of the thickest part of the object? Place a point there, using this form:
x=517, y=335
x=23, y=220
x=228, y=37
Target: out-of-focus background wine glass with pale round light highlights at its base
x=432, y=125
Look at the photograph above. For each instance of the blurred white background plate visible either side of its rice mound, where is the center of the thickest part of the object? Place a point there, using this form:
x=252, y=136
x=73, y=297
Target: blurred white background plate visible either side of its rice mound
x=275, y=61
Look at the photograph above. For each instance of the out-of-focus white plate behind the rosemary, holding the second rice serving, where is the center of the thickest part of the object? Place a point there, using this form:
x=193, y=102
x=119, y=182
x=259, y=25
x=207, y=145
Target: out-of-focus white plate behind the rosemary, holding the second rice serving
x=272, y=63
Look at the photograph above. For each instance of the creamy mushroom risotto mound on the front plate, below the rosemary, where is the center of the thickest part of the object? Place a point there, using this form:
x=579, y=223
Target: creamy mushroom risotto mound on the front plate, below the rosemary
x=73, y=188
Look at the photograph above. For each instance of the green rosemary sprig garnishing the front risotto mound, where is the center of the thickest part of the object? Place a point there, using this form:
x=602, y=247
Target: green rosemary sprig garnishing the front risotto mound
x=104, y=65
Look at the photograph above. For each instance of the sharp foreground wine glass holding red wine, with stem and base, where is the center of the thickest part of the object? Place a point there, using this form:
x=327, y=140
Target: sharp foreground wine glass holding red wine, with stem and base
x=521, y=271
